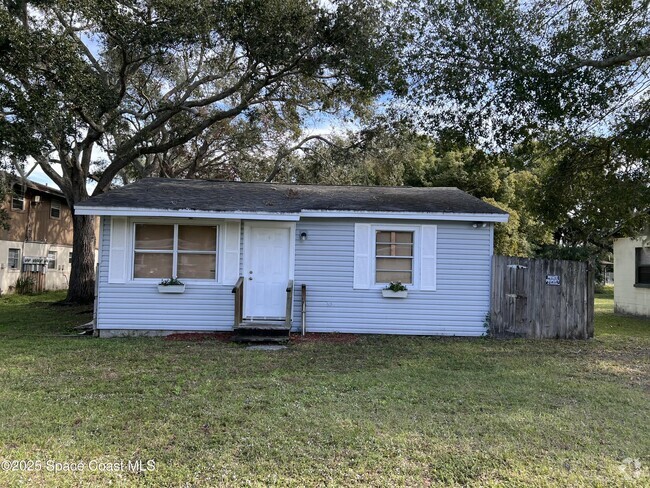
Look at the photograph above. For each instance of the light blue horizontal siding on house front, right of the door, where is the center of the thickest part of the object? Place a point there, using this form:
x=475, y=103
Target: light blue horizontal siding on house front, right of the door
x=324, y=262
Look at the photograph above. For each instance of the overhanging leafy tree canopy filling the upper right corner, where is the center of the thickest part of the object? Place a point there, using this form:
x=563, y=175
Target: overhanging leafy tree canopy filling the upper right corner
x=510, y=70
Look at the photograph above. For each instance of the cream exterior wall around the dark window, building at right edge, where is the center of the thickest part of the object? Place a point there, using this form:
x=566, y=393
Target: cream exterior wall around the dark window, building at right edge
x=628, y=299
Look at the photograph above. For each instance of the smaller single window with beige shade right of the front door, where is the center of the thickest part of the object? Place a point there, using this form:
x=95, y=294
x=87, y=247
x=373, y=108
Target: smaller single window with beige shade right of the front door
x=393, y=256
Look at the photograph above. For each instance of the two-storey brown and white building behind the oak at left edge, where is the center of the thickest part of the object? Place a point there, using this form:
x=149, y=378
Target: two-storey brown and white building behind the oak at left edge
x=38, y=243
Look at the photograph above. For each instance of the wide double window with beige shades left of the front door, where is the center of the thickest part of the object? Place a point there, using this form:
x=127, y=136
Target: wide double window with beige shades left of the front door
x=175, y=250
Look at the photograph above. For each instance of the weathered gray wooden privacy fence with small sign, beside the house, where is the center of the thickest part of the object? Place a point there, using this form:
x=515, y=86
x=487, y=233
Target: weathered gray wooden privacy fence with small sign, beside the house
x=541, y=298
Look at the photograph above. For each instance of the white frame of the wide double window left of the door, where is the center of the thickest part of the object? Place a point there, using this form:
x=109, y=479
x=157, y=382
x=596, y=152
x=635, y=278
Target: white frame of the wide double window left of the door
x=218, y=252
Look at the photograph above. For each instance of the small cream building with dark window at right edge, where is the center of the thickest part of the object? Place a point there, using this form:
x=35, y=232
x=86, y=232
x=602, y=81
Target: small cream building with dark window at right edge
x=632, y=276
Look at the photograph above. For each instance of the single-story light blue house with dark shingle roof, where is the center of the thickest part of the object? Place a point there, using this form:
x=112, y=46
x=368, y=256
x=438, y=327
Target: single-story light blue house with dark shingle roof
x=252, y=252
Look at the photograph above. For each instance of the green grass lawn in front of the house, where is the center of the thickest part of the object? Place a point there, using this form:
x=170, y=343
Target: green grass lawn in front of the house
x=378, y=411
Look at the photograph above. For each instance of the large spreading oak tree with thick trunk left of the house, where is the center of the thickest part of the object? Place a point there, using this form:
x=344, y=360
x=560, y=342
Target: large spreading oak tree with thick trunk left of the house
x=119, y=82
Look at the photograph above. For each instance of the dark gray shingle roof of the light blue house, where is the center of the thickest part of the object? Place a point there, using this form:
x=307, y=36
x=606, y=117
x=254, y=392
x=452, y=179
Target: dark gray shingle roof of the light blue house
x=229, y=196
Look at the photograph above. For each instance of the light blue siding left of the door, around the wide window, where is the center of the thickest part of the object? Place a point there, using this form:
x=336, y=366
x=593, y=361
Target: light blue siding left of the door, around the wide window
x=137, y=306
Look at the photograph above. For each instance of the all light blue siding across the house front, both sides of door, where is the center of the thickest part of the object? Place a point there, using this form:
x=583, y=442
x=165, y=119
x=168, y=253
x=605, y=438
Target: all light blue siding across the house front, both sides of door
x=324, y=262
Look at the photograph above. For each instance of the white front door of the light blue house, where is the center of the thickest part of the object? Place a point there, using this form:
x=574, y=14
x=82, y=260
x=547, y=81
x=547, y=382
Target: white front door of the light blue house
x=266, y=270
